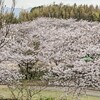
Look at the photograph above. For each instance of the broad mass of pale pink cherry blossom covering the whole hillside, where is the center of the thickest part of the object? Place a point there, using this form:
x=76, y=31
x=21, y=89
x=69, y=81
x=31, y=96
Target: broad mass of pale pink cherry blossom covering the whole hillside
x=68, y=48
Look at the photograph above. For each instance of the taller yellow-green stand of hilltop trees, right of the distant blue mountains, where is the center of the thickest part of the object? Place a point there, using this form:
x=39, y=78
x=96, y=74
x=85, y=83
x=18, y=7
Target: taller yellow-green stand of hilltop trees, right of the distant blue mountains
x=78, y=12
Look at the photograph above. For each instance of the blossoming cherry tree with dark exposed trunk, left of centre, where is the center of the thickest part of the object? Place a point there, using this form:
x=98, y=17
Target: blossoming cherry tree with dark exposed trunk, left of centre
x=24, y=51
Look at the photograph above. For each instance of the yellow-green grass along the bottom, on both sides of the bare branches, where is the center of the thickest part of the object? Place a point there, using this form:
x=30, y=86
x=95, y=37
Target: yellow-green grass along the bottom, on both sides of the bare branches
x=47, y=95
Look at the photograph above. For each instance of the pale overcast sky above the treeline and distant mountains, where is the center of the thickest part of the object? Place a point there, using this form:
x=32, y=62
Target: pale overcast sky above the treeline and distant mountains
x=32, y=3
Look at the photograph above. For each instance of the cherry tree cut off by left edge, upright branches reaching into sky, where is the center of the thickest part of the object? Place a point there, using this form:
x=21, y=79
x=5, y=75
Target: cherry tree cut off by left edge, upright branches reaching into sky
x=6, y=75
